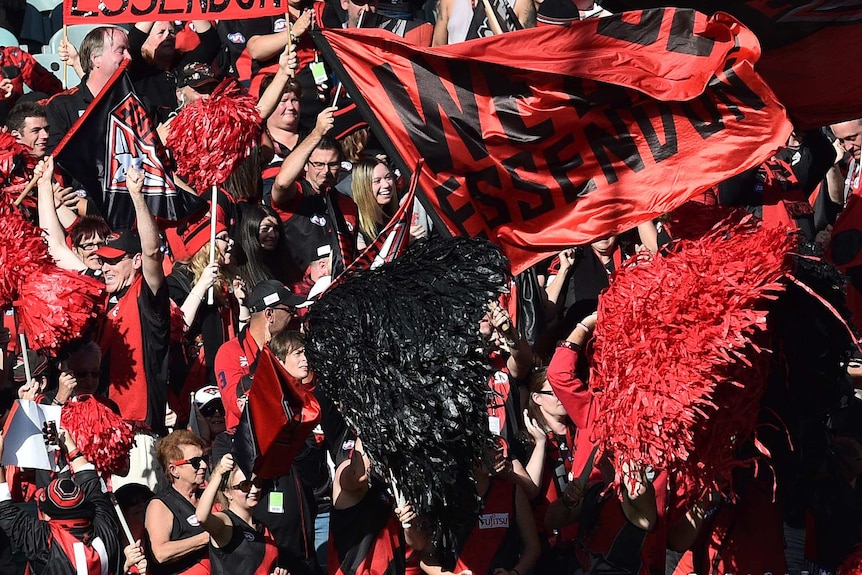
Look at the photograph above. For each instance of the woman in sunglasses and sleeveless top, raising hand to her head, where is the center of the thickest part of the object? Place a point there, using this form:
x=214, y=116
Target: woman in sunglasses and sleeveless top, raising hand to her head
x=238, y=543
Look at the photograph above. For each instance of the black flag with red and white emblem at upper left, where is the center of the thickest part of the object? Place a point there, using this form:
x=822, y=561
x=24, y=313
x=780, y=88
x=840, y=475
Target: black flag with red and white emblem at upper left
x=114, y=133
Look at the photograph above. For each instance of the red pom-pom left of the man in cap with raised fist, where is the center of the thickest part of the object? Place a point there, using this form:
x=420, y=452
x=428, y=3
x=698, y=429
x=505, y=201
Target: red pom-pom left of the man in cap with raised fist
x=56, y=306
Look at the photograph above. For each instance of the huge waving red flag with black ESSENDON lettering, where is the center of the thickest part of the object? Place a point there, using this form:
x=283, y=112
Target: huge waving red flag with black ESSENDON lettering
x=545, y=138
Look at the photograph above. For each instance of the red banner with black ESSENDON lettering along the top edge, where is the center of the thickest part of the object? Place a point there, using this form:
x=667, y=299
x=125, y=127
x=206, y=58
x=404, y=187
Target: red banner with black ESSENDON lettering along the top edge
x=100, y=12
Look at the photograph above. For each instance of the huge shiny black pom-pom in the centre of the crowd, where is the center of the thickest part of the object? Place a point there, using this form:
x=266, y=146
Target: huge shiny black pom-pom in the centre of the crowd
x=399, y=351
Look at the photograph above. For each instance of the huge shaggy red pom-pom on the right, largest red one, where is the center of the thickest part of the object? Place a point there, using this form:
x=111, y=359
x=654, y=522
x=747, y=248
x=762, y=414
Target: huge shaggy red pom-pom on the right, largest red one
x=677, y=358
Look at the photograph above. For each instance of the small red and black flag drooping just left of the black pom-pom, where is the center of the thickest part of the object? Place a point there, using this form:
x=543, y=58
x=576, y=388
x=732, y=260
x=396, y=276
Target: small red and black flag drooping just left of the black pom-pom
x=281, y=413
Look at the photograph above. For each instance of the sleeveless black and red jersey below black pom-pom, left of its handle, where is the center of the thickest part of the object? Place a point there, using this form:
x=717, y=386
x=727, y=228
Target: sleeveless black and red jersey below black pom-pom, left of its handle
x=366, y=539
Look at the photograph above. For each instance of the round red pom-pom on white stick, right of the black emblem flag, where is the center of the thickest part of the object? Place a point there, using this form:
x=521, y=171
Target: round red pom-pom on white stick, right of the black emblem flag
x=210, y=137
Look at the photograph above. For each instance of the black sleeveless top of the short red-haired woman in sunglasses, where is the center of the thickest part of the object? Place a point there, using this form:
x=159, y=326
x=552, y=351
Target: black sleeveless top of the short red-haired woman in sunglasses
x=185, y=525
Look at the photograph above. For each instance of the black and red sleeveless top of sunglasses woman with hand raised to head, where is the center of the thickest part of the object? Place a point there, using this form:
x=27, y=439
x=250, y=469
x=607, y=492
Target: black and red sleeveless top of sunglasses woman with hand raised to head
x=250, y=551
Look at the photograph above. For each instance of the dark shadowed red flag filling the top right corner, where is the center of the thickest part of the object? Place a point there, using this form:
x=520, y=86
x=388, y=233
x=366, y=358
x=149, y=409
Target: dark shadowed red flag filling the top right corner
x=810, y=49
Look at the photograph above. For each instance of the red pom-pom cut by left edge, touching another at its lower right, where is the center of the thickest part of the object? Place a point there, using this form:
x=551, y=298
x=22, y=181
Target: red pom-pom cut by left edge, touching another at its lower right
x=22, y=253
